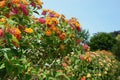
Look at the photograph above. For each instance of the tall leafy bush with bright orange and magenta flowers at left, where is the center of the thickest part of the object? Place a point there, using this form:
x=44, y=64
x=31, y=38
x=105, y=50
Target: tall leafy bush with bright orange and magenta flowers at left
x=27, y=41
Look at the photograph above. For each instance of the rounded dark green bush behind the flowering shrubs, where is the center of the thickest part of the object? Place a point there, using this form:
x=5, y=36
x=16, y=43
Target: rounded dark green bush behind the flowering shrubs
x=102, y=41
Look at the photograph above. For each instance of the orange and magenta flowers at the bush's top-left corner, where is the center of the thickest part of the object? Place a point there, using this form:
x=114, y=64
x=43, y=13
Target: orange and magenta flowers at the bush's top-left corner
x=14, y=5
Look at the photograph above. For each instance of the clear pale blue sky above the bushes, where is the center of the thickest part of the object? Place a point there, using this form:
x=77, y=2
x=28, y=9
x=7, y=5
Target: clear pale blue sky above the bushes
x=93, y=15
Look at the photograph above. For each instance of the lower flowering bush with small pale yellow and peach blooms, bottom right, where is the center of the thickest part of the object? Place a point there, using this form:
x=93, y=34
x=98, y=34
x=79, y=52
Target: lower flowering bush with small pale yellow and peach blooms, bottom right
x=99, y=65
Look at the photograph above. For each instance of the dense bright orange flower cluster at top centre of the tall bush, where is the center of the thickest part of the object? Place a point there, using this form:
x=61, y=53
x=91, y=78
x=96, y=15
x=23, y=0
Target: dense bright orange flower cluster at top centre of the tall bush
x=52, y=21
